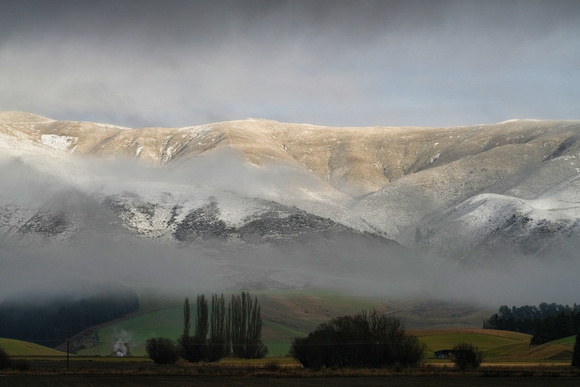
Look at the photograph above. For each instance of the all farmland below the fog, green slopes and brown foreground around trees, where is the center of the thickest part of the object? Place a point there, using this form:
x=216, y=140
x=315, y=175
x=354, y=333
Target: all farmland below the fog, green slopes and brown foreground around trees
x=509, y=359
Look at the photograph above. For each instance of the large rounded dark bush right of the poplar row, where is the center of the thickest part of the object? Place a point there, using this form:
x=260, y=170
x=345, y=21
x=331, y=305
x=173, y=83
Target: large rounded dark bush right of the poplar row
x=367, y=339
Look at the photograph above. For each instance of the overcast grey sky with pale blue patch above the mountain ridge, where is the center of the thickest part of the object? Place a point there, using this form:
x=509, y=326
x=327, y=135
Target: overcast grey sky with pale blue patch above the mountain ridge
x=339, y=63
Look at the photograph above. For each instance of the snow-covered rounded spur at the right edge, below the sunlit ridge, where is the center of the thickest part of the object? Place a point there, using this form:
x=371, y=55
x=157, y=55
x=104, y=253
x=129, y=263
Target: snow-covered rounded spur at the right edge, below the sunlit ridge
x=491, y=227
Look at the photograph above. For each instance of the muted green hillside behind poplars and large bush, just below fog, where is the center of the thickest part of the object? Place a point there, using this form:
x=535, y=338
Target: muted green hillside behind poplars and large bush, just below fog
x=286, y=314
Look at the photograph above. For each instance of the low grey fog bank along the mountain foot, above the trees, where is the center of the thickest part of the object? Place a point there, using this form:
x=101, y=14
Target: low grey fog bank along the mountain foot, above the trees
x=151, y=266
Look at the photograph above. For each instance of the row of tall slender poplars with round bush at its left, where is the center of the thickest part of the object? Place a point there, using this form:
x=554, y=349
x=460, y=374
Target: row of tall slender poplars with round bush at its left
x=232, y=329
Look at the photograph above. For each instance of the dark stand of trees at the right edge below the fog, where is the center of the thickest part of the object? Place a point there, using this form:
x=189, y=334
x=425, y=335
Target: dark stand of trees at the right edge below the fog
x=545, y=322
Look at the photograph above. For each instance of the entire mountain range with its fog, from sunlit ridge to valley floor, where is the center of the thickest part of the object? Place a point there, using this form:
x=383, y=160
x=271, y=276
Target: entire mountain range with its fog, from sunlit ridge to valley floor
x=485, y=214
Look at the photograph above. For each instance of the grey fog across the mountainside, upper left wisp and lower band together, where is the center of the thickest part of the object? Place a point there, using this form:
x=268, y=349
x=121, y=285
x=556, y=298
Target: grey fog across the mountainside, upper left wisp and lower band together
x=99, y=247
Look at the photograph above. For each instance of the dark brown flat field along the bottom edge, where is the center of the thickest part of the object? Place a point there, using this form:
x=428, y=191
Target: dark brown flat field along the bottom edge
x=142, y=372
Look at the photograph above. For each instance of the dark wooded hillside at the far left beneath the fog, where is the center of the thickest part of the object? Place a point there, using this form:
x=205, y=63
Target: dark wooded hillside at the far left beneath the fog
x=50, y=322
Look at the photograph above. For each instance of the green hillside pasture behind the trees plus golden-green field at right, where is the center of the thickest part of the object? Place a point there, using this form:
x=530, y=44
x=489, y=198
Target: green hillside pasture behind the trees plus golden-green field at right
x=287, y=314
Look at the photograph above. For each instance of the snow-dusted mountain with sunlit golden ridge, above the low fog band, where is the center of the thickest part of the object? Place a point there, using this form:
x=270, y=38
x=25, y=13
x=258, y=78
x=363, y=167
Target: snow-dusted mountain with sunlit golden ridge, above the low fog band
x=473, y=195
